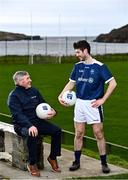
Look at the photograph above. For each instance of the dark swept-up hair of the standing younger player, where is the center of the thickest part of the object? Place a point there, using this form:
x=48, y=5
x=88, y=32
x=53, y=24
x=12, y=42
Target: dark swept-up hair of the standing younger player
x=82, y=45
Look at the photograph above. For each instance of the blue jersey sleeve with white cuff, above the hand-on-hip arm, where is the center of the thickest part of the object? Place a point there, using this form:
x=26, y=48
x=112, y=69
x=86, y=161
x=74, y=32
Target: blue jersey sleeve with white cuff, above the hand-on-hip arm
x=106, y=74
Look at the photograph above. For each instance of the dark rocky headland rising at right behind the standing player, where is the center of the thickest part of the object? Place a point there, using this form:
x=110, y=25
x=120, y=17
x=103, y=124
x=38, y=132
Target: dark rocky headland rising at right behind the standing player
x=119, y=35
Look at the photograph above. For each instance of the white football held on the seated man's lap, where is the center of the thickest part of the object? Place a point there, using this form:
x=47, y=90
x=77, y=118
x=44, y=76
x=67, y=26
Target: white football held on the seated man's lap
x=42, y=110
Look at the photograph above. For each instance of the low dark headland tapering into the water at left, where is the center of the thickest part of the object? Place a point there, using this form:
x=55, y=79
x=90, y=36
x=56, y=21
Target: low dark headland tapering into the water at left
x=8, y=36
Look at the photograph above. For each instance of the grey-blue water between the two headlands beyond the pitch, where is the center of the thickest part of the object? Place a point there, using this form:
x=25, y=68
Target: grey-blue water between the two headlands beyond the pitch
x=58, y=46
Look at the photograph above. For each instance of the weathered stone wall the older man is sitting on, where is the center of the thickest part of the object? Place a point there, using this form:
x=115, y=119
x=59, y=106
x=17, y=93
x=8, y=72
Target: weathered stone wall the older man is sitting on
x=15, y=146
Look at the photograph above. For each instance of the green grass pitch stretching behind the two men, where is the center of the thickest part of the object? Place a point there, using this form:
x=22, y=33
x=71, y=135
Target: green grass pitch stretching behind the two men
x=51, y=78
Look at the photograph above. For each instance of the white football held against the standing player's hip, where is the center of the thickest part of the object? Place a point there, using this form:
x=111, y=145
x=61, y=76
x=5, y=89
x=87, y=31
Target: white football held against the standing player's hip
x=69, y=97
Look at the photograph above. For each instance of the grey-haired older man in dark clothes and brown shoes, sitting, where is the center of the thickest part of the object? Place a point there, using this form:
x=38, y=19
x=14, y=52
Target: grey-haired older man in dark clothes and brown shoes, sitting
x=22, y=102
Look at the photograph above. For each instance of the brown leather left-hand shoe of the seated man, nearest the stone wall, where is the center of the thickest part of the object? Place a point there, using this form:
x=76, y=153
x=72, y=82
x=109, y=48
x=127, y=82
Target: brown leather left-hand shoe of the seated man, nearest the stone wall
x=34, y=171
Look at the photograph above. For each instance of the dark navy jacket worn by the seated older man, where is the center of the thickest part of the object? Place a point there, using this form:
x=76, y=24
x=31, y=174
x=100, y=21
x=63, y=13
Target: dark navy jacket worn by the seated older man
x=22, y=103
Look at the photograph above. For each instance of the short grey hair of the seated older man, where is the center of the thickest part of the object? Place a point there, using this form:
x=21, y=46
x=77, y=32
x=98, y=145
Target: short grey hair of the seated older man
x=19, y=76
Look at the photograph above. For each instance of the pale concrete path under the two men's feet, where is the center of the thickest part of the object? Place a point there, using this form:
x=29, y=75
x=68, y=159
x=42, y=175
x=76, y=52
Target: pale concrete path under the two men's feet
x=89, y=167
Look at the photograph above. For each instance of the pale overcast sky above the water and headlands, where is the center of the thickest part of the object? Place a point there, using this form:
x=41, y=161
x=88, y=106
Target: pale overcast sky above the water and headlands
x=62, y=17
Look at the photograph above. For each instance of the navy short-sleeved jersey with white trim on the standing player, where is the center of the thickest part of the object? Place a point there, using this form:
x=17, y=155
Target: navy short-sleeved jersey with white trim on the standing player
x=90, y=79
